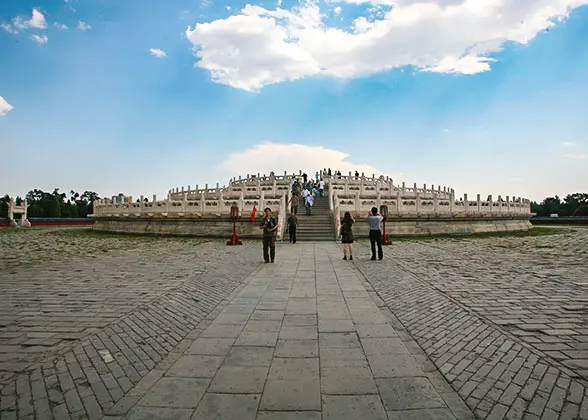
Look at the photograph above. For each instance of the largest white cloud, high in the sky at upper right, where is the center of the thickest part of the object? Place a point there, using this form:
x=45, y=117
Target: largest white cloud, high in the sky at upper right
x=257, y=47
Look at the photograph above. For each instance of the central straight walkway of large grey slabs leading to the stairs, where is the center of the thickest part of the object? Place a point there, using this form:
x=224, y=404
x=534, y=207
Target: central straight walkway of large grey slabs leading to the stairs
x=304, y=338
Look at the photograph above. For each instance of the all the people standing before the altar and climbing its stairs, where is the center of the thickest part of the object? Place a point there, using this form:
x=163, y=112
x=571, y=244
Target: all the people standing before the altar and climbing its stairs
x=308, y=190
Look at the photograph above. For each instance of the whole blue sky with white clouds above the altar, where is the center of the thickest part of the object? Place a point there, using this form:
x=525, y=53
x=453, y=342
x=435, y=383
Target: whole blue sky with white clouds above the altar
x=139, y=96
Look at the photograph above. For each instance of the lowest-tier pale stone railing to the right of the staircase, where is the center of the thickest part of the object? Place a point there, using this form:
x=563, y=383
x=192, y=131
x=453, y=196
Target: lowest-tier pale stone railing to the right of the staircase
x=400, y=205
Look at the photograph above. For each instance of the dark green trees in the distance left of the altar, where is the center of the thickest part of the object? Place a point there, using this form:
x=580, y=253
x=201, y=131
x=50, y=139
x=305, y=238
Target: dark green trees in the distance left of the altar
x=55, y=204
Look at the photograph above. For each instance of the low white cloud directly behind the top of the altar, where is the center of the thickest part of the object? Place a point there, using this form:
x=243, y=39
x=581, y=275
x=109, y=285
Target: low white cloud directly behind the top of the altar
x=292, y=157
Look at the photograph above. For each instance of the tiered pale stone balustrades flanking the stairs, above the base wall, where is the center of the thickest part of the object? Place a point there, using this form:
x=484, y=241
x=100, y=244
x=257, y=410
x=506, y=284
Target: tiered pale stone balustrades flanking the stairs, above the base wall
x=346, y=192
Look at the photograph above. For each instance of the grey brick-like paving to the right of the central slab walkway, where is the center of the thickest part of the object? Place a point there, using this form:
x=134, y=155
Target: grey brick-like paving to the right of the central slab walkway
x=504, y=319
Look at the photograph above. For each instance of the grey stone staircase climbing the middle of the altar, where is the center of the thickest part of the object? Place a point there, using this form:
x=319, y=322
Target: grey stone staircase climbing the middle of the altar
x=316, y=227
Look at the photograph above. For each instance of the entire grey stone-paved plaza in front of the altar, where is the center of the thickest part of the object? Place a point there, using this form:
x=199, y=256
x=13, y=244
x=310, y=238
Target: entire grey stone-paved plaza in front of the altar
x=100, y=326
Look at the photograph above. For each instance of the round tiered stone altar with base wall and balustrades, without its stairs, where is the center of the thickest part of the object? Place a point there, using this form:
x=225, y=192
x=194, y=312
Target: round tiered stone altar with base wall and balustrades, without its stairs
x=412, y=210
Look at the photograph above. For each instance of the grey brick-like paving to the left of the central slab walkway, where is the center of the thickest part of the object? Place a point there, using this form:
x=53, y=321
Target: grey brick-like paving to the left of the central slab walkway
x=77, y=333
